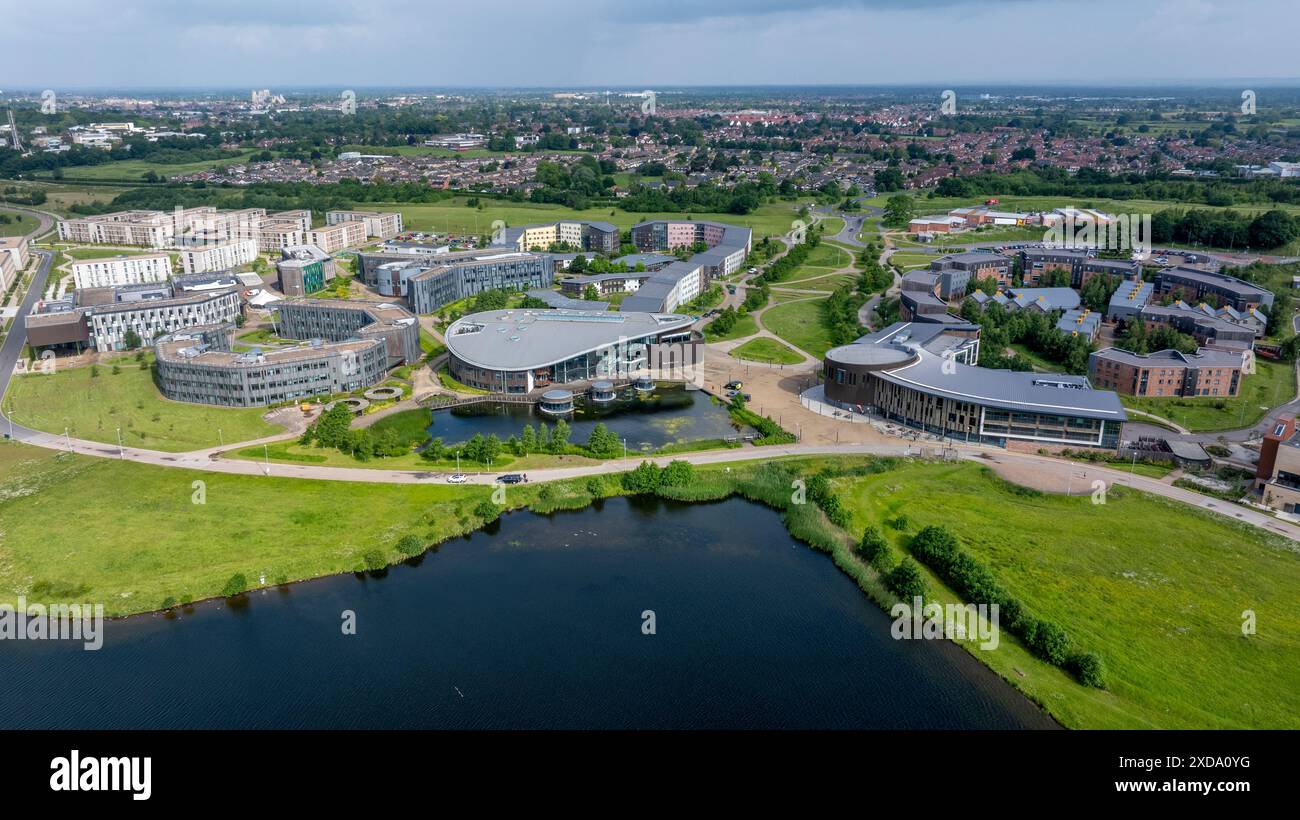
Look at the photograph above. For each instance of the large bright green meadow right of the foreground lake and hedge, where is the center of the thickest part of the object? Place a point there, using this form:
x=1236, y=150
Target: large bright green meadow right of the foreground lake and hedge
x=1162, y=602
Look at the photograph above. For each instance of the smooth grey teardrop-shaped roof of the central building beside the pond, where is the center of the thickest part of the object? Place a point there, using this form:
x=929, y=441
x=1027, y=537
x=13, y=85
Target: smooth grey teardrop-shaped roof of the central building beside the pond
x=522, y=340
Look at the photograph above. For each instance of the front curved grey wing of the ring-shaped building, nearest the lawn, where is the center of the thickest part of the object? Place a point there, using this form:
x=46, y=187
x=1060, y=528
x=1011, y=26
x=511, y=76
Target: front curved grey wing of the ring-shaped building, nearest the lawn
x=198, y=366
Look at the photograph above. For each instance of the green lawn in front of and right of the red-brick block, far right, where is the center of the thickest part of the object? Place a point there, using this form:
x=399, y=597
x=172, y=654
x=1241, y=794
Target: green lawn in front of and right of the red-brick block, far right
x=1272, y=385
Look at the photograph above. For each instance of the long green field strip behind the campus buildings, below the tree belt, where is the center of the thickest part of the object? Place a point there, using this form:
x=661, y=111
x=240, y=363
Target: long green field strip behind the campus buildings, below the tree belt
x=453, y=216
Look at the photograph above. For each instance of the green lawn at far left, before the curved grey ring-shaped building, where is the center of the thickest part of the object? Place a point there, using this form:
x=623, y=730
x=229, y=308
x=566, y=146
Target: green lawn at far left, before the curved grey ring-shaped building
x=94, y=407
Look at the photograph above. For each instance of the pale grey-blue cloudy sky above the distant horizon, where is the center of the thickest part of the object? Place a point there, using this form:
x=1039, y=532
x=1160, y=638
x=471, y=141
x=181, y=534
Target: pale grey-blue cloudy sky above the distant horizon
x=645, y=44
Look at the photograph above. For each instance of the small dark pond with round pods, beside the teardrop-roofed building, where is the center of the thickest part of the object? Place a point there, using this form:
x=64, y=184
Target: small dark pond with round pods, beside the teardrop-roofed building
x=666, y=416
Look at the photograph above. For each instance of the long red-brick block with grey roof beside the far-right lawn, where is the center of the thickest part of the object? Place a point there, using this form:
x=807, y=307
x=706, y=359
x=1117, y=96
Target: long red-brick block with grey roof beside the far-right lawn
x=1168, y=374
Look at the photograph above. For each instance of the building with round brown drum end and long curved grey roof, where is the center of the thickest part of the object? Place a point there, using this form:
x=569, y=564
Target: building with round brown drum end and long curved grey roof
x=922, y=376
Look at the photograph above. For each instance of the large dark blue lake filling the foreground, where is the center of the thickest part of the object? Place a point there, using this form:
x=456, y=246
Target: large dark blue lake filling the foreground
x=532, y=624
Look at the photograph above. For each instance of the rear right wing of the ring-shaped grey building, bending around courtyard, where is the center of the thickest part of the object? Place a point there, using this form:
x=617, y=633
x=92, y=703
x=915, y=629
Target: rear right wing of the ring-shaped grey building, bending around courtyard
x=337, y=320
